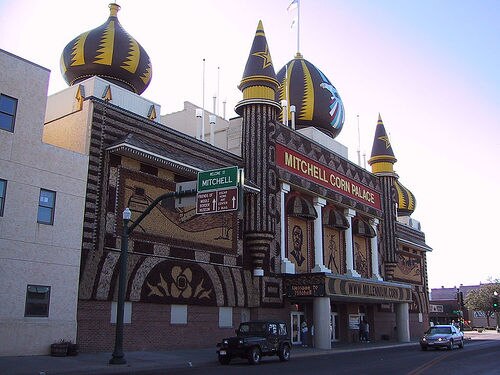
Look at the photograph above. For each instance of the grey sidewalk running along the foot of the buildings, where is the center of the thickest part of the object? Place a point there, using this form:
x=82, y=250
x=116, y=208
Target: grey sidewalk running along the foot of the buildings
x=141, y=361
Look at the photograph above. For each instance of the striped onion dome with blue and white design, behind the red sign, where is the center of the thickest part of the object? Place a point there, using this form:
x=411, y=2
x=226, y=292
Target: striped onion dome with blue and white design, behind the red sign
x=316, y=100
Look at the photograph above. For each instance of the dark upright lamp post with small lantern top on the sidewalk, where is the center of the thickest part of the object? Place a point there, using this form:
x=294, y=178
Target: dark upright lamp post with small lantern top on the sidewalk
x=118, y=356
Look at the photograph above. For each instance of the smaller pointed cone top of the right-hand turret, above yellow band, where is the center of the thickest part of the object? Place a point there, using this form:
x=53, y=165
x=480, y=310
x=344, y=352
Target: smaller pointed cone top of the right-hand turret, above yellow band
x=382, y=159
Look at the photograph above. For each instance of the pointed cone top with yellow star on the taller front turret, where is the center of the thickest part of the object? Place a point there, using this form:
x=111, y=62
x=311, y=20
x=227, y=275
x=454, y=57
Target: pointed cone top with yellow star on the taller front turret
x=259, y=83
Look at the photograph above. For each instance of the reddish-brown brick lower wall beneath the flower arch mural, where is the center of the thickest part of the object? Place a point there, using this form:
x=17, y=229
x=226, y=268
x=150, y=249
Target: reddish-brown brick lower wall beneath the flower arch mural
x=151, y=329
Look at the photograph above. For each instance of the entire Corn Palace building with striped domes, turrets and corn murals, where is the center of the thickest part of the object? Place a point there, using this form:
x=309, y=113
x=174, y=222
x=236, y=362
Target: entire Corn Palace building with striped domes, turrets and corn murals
x=316, y=238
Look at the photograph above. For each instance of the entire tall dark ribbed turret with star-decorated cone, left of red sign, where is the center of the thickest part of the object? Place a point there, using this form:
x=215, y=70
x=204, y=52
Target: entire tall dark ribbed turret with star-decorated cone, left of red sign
x=259, y=111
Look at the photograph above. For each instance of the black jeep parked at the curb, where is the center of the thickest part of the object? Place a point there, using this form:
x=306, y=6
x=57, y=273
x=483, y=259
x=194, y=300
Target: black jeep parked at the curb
x=256, y=339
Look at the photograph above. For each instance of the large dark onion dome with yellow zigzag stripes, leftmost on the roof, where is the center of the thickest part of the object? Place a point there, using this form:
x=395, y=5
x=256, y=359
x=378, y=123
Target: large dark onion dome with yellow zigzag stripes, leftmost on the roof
x=109, y=52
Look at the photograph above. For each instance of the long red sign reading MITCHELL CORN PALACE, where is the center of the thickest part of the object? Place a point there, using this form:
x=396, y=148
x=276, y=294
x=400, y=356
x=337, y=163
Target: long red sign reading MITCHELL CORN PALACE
x=312, y=170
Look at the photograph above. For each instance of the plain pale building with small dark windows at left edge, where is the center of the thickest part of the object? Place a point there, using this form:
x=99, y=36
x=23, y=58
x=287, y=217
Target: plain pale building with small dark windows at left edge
x=42, y=195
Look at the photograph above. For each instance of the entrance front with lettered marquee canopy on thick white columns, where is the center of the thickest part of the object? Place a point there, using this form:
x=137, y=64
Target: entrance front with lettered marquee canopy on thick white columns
x=333, y=305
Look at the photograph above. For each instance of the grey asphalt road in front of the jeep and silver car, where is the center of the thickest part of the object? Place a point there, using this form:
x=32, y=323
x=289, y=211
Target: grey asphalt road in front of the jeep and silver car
x=478, y=357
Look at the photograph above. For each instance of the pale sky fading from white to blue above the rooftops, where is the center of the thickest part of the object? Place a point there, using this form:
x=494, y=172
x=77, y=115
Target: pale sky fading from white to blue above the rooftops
x=430, y=68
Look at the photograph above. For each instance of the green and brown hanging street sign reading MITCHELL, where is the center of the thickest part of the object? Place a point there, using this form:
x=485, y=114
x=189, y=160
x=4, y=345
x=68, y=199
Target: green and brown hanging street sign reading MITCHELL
x=217, y=190
